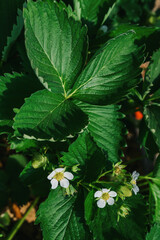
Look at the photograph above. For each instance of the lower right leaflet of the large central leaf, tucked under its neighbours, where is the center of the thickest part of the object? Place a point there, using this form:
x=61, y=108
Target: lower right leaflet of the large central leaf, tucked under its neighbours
x=105, y=127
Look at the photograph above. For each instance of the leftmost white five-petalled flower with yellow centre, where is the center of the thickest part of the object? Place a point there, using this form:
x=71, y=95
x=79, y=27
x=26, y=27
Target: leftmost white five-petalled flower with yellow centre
x=59, y=175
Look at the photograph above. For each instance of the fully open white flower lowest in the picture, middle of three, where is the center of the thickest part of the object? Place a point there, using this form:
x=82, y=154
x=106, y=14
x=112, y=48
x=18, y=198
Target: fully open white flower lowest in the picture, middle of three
x=105, y=195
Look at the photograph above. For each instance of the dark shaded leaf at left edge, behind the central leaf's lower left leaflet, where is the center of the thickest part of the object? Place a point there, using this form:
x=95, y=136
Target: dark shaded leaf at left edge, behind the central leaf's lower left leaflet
x=13, y=89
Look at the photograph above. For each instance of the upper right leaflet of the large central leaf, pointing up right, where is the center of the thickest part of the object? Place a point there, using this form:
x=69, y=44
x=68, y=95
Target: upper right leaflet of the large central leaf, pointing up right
x=111, y=73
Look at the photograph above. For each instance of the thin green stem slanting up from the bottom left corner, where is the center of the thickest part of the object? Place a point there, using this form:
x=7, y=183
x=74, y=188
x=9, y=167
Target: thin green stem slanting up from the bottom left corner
x=21, y=221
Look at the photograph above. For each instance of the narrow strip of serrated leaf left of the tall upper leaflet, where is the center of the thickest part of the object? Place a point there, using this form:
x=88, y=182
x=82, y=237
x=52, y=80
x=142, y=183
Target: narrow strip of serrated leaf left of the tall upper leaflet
x=17, y=28
